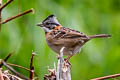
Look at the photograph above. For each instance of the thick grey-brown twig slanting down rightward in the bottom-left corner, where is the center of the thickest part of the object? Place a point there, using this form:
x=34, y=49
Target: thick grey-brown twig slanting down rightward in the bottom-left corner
x=14, y=71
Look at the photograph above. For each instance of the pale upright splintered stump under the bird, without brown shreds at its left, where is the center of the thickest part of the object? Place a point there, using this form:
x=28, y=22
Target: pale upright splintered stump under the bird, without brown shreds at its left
x=63, y=68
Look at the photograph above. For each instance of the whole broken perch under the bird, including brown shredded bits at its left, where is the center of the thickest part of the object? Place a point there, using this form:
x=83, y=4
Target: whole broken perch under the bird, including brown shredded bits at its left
x=63, y=69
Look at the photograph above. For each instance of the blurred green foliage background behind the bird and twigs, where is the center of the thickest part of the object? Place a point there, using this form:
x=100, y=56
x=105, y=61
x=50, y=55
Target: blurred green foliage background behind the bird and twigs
x=99, y=57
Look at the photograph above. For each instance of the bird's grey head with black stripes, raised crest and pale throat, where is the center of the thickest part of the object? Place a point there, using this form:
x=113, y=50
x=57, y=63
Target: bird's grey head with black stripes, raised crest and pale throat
x=49, y=23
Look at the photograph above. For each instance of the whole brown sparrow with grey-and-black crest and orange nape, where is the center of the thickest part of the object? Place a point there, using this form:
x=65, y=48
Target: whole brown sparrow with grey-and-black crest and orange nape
x=58, y=36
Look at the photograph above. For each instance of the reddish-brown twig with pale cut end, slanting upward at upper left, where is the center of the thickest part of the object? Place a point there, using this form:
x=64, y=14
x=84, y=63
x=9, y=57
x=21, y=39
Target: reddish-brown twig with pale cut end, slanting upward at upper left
x=18, y=15
